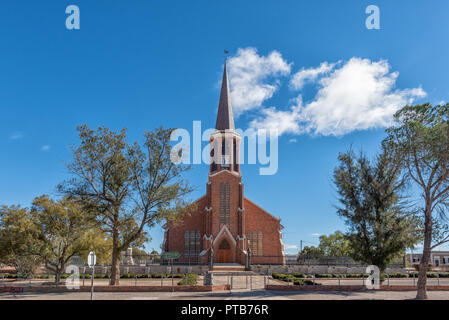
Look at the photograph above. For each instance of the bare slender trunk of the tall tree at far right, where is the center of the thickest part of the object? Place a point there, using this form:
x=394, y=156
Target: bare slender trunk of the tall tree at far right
x=422, y=277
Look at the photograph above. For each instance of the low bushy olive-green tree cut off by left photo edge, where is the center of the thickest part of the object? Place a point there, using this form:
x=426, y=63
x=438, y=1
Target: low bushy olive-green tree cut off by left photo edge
x=20, y=240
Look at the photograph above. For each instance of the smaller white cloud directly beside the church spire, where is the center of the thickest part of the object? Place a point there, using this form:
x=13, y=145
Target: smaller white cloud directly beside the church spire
x=254, y=78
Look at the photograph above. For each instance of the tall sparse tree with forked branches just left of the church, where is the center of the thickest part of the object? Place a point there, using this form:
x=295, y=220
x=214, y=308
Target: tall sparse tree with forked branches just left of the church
x=128, y=186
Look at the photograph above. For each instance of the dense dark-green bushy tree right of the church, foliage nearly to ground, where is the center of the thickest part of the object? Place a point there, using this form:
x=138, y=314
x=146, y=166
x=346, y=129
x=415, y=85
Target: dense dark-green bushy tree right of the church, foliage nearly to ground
x=369, y=194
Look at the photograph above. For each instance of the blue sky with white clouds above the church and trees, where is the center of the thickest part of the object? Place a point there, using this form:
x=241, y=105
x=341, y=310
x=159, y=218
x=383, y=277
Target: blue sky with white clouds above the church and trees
x=142, y=64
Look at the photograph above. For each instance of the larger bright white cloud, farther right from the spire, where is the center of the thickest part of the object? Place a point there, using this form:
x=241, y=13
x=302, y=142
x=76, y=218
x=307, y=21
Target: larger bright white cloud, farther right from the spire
x=359, y=95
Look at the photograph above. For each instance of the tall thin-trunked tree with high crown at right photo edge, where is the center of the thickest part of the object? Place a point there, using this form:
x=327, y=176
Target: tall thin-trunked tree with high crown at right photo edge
x=420, y=138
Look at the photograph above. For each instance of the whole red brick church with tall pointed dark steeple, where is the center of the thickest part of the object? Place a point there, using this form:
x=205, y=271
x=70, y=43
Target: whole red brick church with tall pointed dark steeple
x=224, y=219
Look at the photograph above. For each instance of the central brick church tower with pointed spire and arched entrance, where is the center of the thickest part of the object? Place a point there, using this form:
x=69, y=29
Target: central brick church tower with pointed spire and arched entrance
x=224, y=223
